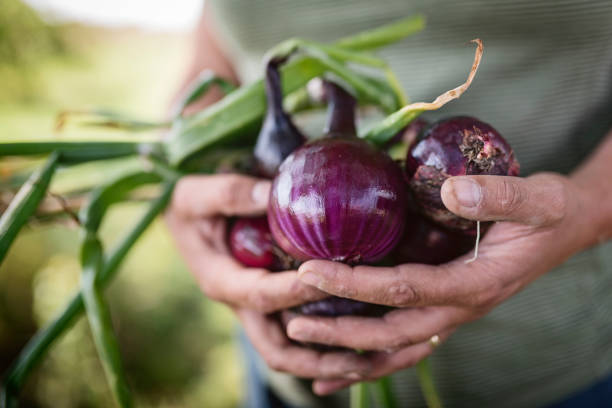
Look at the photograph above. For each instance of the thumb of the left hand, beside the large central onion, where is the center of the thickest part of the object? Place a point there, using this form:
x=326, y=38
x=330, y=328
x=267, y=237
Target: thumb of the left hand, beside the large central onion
x=222, y=194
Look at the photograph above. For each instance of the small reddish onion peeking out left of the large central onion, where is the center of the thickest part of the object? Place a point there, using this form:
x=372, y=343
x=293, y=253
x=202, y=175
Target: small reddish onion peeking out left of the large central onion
x=251, y=243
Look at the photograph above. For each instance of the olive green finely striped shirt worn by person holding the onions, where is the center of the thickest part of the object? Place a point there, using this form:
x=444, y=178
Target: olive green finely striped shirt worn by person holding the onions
x=546, y=84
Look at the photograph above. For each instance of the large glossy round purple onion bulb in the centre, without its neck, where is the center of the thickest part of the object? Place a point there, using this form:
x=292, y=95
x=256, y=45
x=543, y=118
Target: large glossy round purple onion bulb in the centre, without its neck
x=338, y=199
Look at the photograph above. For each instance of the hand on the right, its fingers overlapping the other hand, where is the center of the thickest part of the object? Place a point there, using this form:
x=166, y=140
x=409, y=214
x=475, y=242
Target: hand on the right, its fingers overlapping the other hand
x=542, y=225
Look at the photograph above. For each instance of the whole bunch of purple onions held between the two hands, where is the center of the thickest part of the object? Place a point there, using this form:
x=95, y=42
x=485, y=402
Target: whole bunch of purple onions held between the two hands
x=340, y=198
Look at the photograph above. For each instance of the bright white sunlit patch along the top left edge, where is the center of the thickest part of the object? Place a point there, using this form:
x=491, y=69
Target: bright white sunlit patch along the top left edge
x=180, y=15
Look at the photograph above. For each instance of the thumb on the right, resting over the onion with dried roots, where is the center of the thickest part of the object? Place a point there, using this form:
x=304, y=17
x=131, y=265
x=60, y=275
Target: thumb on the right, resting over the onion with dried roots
x=537, y=200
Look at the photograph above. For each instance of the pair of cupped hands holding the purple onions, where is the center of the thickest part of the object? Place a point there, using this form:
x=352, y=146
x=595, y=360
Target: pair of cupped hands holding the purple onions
x=541, y=228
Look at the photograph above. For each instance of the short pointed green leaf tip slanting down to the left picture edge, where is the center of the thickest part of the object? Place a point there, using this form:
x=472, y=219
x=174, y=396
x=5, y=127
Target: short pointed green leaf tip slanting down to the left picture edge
x=25, y=203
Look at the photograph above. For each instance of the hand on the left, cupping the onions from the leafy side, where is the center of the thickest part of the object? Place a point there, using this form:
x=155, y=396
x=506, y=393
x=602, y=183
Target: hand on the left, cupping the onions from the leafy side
x=197, y=220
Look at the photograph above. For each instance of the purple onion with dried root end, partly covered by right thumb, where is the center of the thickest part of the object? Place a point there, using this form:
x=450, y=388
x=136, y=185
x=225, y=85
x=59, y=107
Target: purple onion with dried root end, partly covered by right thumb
x=456, y=146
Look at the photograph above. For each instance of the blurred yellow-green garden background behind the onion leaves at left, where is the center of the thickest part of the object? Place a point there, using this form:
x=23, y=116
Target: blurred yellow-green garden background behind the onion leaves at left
x=176, y=345
